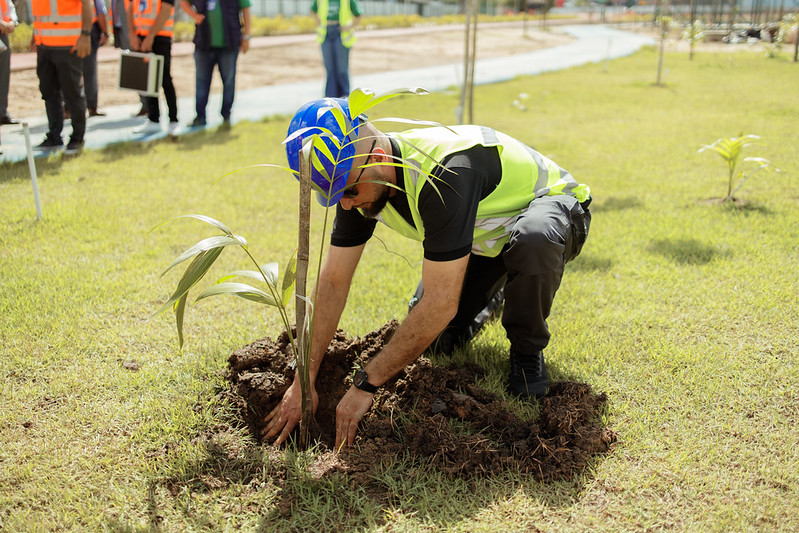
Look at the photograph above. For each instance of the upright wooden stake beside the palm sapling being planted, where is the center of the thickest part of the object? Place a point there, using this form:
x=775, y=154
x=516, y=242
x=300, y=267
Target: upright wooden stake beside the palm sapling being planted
x=303, y=253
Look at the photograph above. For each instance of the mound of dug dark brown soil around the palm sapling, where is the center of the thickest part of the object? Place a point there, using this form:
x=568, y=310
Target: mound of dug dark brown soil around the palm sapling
x=434, y=401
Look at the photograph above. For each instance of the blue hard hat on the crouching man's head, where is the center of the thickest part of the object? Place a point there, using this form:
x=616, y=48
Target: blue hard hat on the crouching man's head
x=334, y=149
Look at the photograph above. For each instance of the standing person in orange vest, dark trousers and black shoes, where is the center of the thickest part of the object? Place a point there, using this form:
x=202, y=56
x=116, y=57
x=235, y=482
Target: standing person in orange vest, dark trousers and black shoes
x=61, y=39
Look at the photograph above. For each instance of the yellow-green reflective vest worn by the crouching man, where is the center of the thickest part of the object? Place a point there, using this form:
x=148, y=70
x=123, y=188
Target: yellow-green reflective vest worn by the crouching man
x=526, y=175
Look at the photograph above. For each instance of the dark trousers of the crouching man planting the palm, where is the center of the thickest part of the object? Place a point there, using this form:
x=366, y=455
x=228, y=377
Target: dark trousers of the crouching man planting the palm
x=549, y=234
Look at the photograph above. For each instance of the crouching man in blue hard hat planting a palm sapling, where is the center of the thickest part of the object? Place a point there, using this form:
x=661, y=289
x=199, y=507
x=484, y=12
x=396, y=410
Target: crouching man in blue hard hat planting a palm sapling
x=500, y=214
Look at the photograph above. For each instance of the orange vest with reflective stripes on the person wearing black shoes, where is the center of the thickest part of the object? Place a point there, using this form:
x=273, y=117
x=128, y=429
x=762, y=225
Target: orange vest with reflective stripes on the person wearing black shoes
x=56, y=22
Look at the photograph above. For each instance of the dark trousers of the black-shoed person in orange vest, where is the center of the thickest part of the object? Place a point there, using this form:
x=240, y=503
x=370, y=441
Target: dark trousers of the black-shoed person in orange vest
x=60, y=72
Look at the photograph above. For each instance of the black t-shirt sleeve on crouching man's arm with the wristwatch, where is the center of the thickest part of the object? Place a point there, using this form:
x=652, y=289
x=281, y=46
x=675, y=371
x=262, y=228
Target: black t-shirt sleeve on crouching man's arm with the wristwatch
x=449, y=209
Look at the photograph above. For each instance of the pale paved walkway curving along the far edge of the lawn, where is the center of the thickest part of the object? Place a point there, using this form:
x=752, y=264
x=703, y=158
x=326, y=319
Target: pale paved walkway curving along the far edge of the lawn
x=594, y=43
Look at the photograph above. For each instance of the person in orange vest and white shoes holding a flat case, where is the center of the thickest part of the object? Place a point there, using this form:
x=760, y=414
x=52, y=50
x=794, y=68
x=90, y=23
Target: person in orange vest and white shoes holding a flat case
x=150, y=27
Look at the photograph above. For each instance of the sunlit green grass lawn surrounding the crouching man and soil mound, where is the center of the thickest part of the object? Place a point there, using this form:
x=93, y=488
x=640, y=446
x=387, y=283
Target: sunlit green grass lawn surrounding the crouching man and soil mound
x=684, y=311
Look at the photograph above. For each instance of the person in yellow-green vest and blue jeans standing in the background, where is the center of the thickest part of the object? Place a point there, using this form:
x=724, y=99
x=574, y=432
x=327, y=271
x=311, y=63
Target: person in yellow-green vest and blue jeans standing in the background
x=335, y=22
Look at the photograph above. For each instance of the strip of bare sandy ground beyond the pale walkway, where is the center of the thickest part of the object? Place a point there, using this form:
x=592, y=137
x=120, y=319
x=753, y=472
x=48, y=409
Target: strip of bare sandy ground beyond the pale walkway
x=270, y=65
